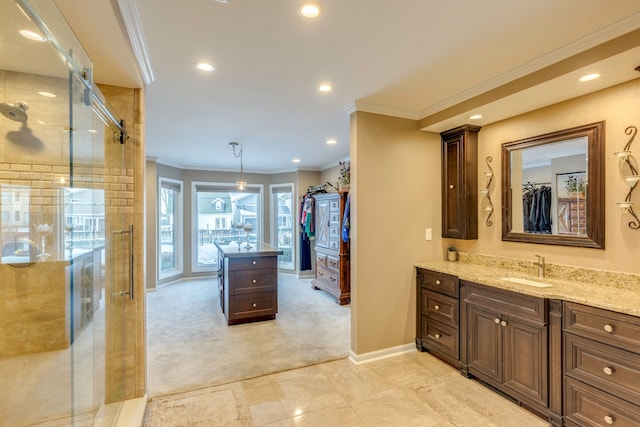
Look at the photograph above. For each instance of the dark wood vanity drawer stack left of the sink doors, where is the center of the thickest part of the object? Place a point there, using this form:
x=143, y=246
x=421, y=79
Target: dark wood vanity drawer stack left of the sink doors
x=437, y=322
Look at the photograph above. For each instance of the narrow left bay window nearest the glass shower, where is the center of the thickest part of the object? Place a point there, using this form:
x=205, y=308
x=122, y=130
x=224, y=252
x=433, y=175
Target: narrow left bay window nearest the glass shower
x=169, y=227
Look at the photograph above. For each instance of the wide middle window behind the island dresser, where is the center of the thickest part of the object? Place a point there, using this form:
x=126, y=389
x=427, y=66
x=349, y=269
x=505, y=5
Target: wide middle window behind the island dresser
x=220, y=213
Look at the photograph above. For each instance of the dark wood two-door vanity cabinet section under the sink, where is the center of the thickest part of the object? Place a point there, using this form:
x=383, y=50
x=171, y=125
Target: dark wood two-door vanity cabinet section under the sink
x=505, y=342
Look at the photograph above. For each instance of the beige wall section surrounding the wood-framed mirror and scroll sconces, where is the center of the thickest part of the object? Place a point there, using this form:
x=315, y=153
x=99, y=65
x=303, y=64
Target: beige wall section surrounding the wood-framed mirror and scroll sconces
x=618, y=107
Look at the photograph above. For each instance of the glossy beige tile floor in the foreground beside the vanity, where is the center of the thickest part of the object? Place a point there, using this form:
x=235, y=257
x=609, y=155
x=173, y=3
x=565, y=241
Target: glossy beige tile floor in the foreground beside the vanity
x=413, y=389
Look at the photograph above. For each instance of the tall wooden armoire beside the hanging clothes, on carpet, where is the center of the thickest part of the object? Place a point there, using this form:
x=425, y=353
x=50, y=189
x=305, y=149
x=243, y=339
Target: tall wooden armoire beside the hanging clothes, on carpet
x=332, y=254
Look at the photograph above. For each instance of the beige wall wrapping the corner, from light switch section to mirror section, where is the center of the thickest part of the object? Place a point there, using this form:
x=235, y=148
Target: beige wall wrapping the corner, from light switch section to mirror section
x=395, y=174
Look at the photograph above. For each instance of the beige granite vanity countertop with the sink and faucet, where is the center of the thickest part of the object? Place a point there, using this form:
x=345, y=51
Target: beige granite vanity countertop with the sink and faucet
x=598, y=290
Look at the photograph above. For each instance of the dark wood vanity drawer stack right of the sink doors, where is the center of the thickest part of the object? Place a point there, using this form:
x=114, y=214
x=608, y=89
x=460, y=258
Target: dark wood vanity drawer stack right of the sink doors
x=601, y=367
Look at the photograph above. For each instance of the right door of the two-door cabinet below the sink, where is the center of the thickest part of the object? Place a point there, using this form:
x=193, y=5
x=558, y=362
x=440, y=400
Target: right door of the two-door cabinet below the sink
x=525, y=361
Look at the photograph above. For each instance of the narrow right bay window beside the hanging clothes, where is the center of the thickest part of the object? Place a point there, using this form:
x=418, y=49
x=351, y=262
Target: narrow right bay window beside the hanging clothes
x=282, y=214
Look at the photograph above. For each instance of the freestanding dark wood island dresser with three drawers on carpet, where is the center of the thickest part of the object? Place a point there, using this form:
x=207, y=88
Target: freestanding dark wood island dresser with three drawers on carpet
x=248, y=282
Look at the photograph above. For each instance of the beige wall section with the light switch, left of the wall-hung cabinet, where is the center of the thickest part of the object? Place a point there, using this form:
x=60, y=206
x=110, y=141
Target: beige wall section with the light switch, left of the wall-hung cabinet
x=395, y=195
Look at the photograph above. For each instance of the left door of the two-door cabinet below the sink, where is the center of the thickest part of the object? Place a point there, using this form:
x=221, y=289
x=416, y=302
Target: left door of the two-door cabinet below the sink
x=485, y=343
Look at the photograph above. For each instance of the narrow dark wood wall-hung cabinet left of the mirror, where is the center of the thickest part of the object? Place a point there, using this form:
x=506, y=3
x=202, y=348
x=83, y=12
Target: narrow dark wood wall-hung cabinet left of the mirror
x=460, y=182
